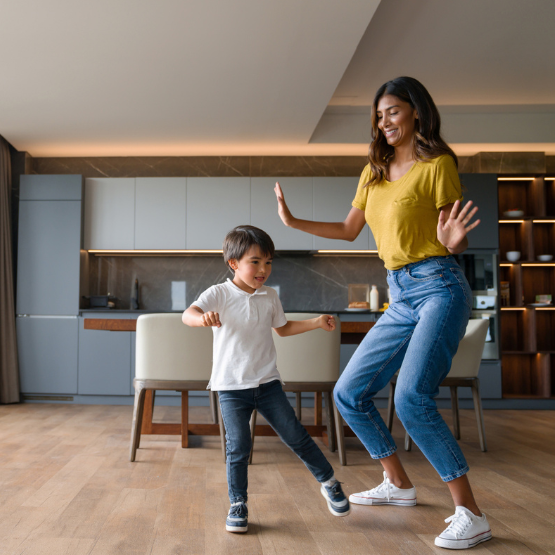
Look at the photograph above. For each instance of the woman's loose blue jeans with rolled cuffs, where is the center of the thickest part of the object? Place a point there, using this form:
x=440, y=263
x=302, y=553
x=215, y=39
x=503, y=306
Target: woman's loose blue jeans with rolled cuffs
x=418, y=335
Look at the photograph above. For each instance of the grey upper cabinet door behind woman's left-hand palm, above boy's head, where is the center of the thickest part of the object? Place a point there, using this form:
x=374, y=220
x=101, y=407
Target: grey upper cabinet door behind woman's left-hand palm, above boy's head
x=298, y=195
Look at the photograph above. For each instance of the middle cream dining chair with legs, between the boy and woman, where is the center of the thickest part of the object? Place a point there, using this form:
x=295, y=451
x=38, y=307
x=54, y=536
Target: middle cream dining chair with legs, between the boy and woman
x=309, y=362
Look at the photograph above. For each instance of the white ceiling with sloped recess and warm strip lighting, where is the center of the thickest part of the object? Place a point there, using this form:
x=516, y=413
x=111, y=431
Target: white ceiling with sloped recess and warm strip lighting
x=262, y=77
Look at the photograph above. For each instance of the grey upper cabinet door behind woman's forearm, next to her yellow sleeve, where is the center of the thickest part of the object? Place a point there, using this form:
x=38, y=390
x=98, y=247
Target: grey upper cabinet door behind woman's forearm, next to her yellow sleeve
x=332, y=198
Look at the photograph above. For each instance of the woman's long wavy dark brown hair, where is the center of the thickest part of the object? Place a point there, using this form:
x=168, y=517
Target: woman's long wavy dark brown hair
x=428, y=143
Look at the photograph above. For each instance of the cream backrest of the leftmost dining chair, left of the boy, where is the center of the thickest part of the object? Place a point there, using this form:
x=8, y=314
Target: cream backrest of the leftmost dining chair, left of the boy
x=167, y=349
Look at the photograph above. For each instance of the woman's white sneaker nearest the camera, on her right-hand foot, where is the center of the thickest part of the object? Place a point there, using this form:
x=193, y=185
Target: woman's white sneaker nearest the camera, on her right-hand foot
x=465, y=530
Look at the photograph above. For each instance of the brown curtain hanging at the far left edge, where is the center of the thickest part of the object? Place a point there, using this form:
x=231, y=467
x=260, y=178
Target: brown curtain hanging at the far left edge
x=9, y=373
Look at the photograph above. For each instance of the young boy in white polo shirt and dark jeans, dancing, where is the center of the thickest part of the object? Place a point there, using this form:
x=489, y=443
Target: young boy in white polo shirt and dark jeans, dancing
x=242, y=313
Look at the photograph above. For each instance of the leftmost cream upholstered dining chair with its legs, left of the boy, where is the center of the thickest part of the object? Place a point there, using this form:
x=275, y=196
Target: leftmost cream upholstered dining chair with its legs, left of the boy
x=170, y=356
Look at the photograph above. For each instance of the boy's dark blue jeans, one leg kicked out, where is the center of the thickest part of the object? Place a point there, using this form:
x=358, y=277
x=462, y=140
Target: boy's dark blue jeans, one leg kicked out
x=271, y=402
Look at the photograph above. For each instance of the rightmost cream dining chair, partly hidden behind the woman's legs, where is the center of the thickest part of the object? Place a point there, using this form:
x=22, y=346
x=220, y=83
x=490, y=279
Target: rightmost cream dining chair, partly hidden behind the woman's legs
x=463, y=373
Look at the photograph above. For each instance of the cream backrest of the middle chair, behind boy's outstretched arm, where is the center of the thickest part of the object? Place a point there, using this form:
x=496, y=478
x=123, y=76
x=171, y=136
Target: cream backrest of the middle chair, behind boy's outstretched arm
x=309, y=357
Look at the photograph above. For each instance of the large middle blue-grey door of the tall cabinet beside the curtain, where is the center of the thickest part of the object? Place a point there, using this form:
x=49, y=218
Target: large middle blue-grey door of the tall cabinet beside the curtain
x=48, y=257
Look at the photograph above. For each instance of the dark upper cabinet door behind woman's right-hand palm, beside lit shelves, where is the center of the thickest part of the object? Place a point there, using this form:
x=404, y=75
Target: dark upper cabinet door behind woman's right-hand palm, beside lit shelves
x=481, y=189
